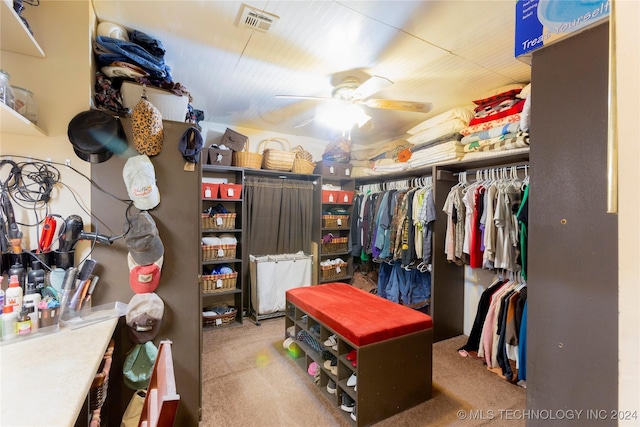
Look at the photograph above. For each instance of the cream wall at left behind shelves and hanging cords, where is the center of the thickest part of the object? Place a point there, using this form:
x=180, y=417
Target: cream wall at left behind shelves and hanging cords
x=62, y=84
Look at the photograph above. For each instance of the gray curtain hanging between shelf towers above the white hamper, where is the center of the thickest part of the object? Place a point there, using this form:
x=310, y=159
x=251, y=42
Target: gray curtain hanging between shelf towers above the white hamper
x=279, y=215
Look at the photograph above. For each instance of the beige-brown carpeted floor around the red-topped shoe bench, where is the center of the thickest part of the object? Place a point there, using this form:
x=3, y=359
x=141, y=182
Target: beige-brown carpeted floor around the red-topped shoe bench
x=249, y=380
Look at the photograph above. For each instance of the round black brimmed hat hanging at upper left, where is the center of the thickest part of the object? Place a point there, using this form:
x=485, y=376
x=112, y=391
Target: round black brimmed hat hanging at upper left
x=96, y=136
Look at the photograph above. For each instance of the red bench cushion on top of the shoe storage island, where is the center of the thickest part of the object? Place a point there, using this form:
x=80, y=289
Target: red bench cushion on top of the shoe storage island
x=359, y=317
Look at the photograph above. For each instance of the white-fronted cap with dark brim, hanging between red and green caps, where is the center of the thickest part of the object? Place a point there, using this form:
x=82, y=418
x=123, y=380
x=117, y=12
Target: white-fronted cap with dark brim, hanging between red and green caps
x=144, y=317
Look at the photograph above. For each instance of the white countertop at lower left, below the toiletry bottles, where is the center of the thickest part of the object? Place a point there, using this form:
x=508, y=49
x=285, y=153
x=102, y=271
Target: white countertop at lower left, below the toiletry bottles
x=44, y=381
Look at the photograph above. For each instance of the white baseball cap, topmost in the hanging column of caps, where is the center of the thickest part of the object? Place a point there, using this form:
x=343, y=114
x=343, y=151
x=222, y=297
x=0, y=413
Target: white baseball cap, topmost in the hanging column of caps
x=140, y=179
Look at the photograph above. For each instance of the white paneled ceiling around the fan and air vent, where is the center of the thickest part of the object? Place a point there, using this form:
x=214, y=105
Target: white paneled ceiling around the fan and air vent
x=444, y=52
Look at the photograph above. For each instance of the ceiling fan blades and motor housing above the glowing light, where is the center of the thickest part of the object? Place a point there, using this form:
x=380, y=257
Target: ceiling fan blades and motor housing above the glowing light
x=351, y=92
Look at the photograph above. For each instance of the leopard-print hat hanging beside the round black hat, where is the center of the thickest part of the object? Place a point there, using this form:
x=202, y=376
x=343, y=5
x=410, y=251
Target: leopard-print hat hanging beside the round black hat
x=147, y=128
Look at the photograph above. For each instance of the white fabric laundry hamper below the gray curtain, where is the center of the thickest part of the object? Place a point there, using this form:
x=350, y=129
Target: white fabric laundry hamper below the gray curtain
x=272, y=276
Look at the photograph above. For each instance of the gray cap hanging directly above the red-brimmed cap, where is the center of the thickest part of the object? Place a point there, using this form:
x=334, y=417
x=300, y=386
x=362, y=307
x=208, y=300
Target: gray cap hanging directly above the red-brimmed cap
x=143, y=239
